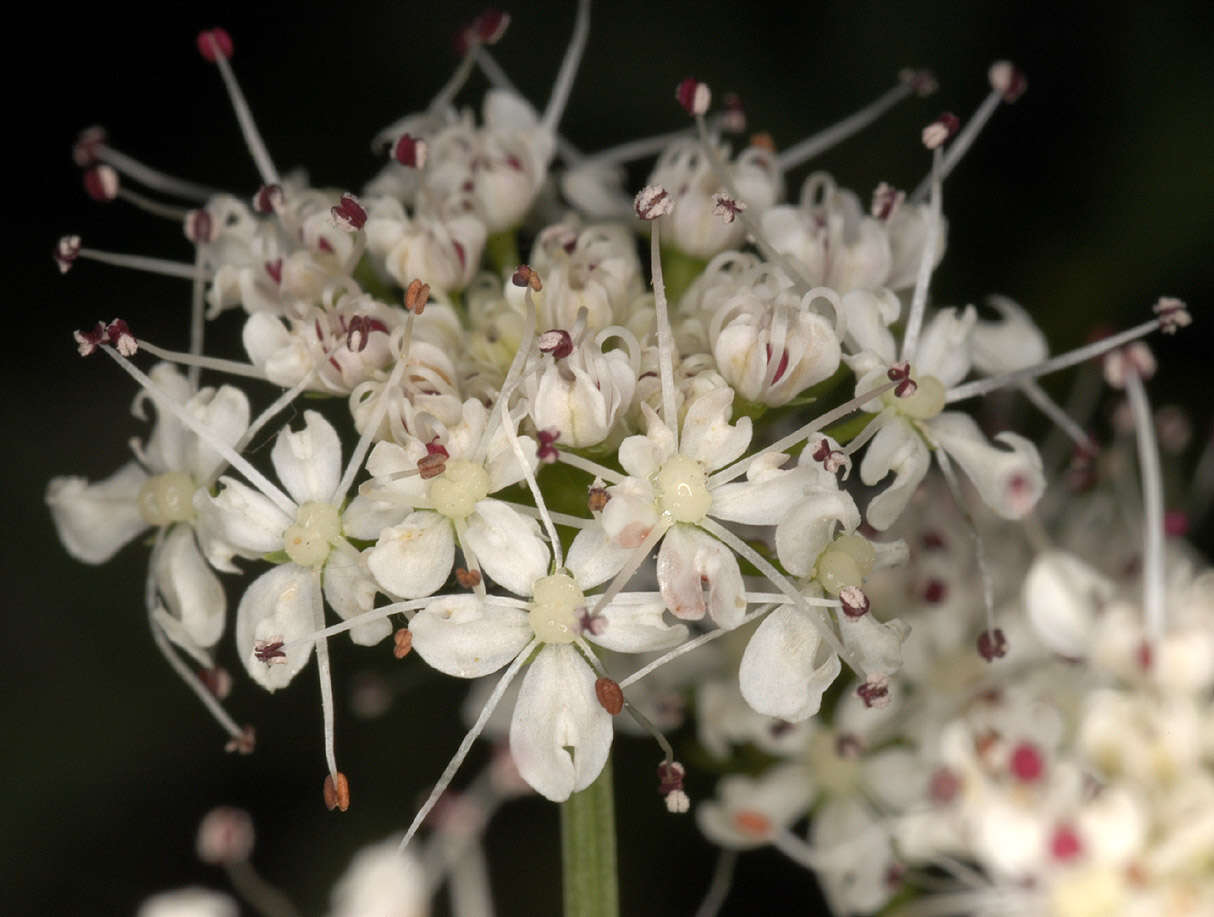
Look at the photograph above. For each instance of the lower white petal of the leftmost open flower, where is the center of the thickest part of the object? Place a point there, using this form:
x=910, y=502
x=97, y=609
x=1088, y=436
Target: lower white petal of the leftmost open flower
x=192, y=592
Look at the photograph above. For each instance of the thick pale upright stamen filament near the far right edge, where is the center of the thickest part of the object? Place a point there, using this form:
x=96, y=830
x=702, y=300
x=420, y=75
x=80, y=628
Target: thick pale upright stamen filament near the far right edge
x=1154, y=591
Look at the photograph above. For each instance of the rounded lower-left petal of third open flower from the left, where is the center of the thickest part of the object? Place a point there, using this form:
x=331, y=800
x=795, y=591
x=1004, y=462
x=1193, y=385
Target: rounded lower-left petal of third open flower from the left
x=415, y=558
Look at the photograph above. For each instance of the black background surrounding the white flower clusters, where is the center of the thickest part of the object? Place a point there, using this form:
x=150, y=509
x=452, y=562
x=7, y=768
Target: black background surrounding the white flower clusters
x=1086, y=202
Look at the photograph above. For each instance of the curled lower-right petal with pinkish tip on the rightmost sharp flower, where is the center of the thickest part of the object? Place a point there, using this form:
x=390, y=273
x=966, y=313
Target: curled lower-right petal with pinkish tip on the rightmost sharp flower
x=1011, y=482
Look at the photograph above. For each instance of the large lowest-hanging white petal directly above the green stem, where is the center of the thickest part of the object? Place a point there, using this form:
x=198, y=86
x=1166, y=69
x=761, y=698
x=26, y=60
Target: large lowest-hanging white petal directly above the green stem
x=560, y=735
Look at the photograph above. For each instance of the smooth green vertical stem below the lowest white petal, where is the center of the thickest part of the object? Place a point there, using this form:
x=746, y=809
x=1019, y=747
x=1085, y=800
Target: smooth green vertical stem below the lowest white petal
x=588, y=851
